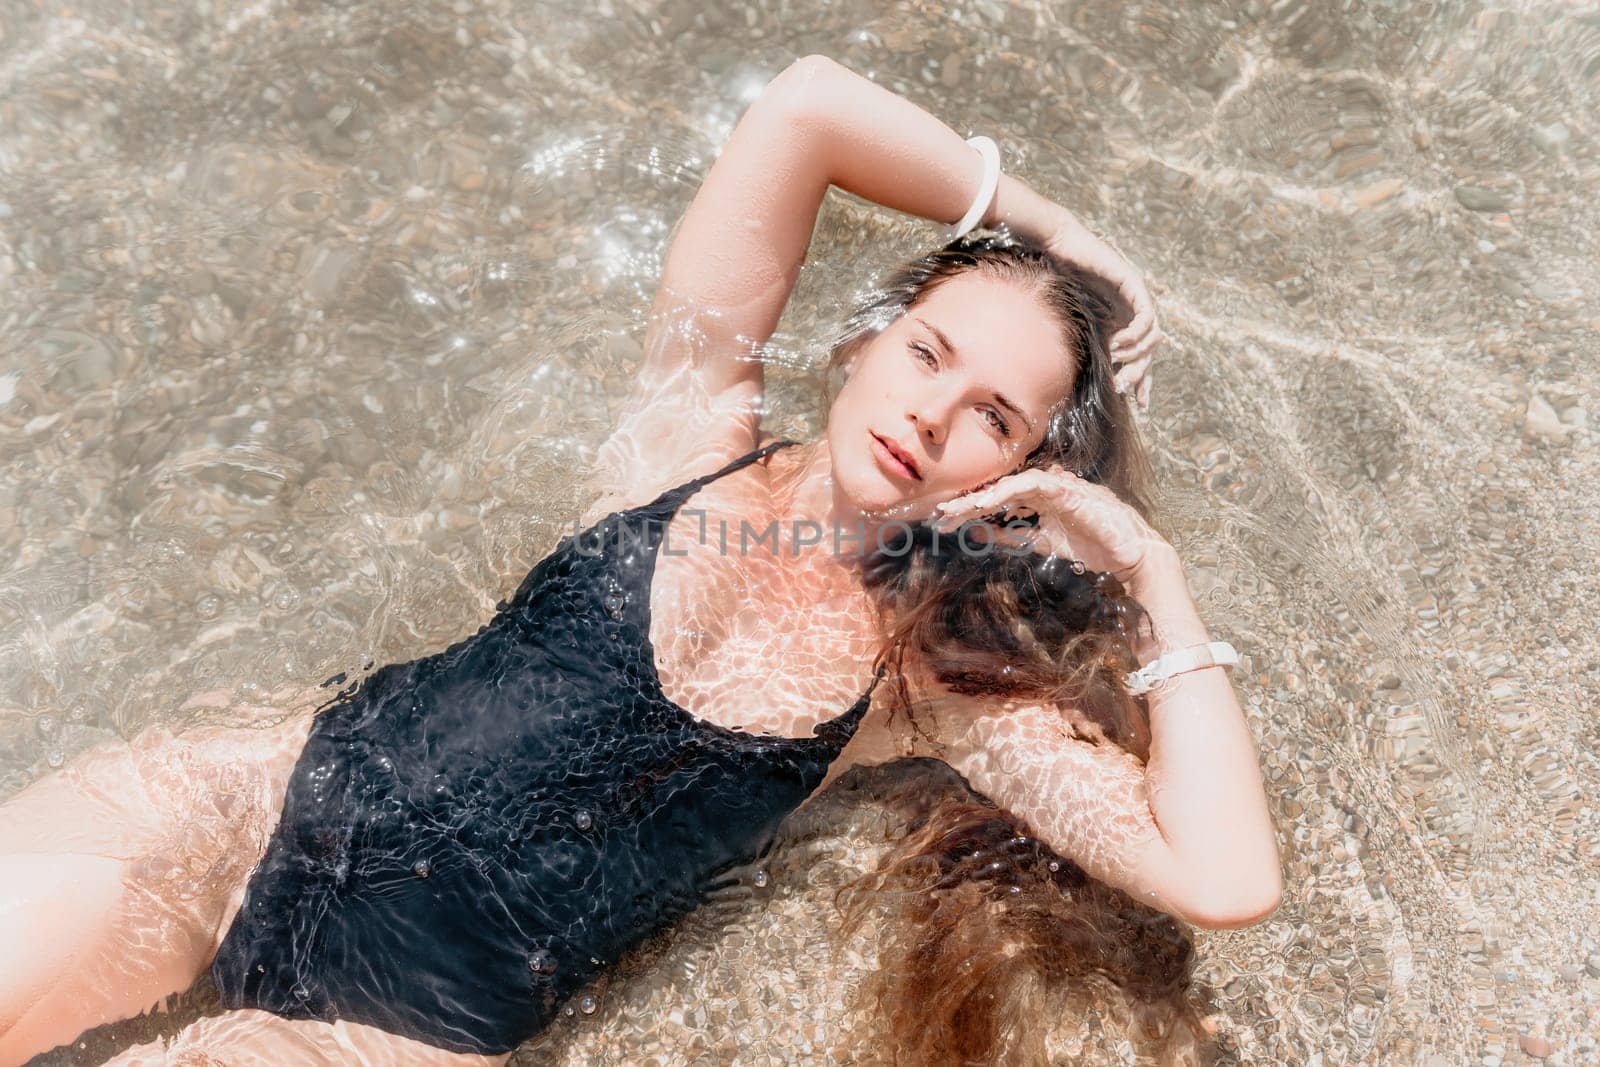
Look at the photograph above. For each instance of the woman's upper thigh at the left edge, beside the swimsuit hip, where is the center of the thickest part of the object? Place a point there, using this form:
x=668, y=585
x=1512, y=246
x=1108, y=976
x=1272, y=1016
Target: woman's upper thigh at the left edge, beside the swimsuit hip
x=121, y=873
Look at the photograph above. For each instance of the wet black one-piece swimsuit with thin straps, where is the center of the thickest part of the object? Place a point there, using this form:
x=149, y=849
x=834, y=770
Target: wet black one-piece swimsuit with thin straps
x=474, y=836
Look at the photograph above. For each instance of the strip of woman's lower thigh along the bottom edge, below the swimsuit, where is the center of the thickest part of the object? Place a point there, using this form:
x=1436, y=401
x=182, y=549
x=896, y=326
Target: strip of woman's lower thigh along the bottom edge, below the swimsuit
x=257, y=1039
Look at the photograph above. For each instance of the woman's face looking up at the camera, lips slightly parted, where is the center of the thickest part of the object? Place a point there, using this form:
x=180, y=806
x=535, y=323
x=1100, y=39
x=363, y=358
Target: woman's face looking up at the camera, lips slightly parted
x=962, y=385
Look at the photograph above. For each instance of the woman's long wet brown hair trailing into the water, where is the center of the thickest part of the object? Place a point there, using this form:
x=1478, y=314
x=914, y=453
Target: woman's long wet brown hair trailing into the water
x=990, y=933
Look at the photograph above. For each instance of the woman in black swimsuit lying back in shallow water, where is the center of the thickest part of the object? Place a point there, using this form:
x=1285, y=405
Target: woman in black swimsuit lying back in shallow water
x=433, y=865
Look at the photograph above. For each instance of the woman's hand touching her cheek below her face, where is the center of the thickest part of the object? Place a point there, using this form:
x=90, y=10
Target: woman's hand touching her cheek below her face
x=1078, y=521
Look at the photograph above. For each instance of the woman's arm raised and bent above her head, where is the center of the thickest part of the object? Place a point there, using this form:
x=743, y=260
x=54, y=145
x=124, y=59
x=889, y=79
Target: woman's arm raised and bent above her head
x=738, y=250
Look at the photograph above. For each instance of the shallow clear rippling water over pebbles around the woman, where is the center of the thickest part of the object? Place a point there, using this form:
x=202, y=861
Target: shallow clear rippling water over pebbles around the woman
x=310, y=314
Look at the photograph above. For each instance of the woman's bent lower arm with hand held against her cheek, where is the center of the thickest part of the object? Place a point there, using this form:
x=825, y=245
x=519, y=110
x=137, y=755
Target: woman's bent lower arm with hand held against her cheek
x=1209, y=847
